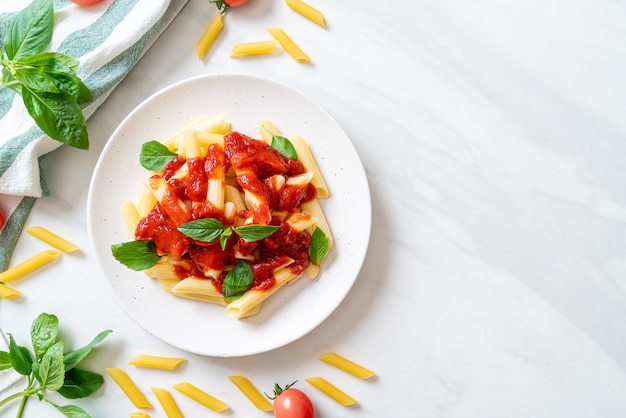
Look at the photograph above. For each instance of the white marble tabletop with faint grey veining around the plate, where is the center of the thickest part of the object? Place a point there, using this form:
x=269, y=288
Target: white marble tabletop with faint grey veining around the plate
x=493, y=136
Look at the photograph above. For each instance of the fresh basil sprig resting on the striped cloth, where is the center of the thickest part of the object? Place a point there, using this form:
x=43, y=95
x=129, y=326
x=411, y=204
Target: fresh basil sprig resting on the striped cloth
x=47, y=81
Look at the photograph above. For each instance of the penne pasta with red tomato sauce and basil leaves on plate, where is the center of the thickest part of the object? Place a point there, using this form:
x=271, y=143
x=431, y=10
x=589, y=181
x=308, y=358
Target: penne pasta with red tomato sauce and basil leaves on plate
x=226, y=218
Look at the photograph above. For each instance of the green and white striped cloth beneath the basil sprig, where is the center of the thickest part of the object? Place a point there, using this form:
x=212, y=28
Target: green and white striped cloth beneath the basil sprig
x=108, y=39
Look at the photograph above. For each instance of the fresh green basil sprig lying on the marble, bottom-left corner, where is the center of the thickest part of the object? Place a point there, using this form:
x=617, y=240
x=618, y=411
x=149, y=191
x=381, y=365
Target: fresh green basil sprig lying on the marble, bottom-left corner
x=48, y=368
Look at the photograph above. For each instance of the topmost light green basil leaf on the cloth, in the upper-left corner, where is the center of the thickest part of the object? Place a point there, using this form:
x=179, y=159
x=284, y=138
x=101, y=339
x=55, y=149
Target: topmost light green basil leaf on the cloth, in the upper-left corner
x=30, y=31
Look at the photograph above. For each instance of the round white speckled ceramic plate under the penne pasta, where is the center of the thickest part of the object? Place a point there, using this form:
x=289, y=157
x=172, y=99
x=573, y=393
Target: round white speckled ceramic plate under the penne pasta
x=292, y=311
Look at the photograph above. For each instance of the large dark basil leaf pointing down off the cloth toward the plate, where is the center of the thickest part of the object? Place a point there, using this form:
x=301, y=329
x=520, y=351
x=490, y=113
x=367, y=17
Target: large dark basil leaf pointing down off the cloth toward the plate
x=58, y=115
